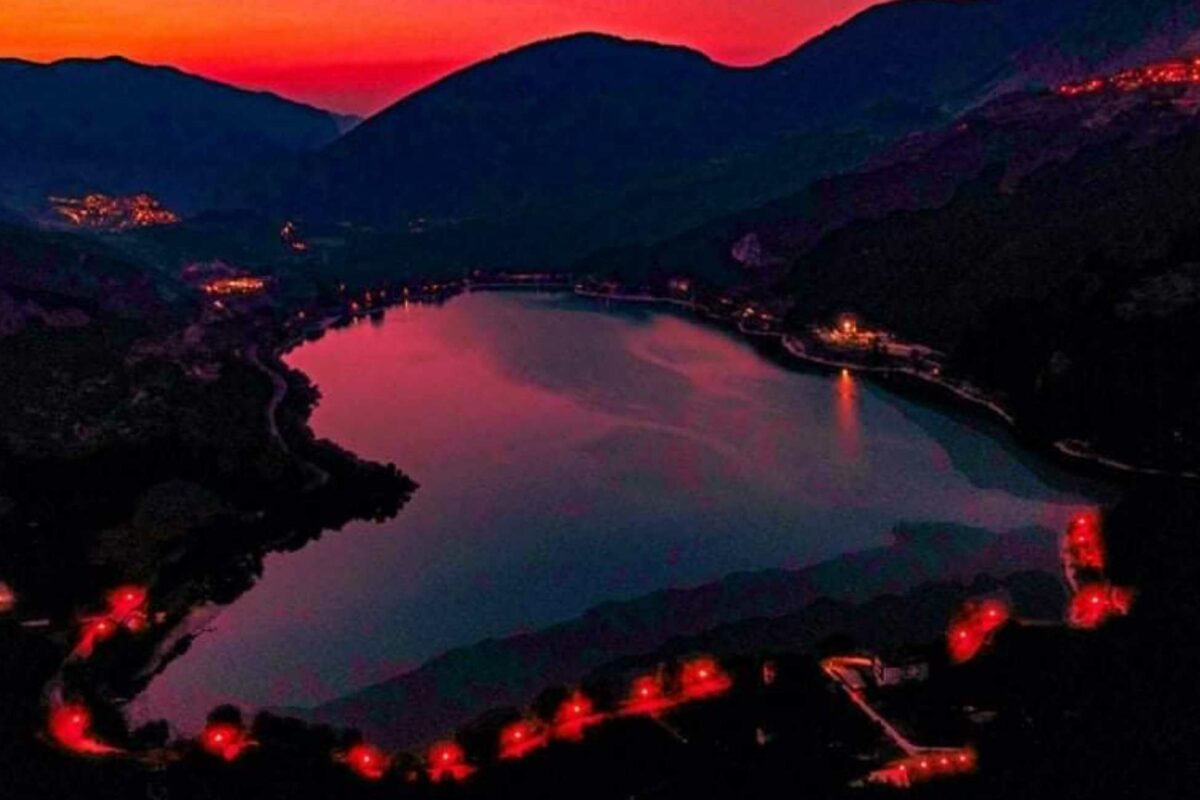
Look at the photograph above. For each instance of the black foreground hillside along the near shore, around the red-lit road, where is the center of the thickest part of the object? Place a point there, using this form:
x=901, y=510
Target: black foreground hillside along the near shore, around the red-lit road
x=1052, y=712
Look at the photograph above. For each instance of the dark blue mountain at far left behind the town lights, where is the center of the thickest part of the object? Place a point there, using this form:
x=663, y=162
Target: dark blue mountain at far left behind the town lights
x=119, y=128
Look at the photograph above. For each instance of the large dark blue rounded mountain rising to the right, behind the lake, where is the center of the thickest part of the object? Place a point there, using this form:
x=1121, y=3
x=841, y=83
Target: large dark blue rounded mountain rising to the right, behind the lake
x=566, y=147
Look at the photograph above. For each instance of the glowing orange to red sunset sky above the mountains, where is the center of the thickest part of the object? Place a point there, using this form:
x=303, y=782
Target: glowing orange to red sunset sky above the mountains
x=361, y=56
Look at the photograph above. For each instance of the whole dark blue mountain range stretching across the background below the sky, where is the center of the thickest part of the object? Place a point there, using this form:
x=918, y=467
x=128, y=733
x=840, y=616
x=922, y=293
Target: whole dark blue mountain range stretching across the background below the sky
x=562, y=149
